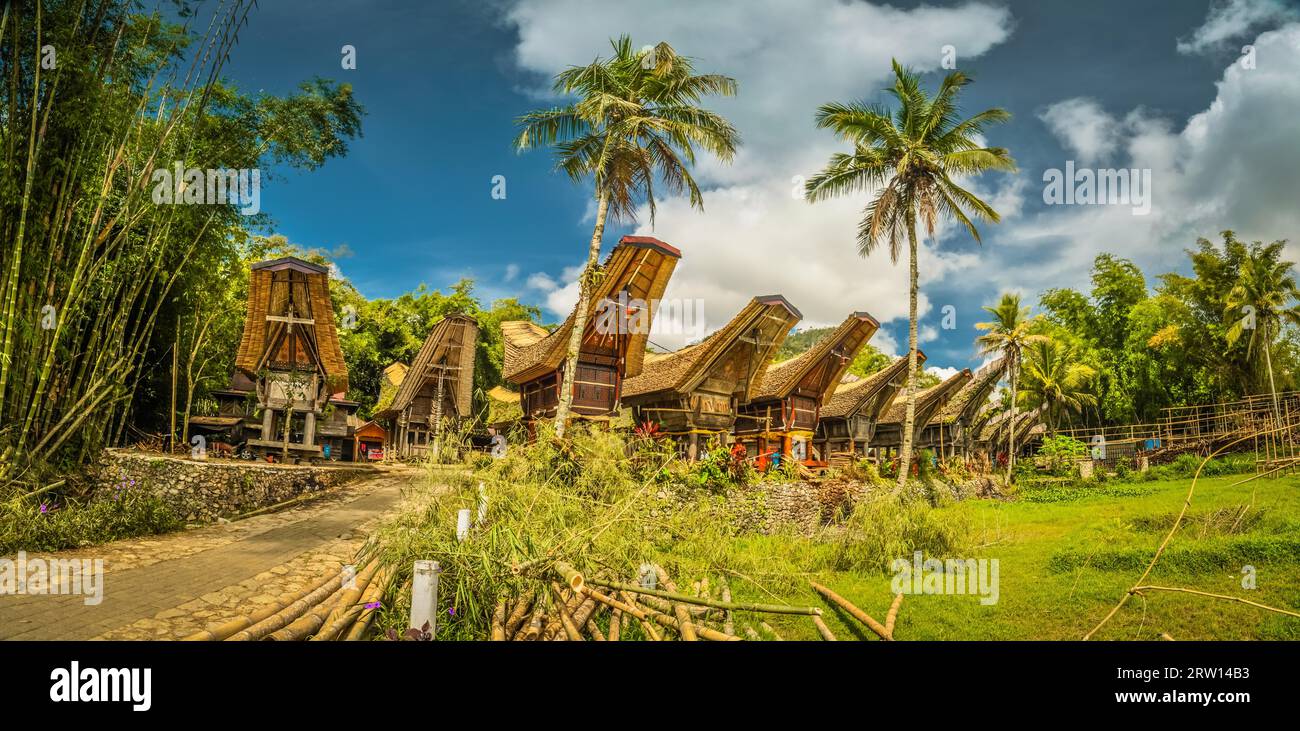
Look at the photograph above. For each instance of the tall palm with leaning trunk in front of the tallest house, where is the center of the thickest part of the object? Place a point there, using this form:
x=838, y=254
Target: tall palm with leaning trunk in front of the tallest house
x=635, y=118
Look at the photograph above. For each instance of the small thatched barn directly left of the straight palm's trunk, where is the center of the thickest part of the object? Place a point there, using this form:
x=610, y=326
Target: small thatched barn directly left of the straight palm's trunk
x=848, y=426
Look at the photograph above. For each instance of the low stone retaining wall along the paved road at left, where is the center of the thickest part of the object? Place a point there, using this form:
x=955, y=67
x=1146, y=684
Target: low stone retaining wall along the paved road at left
x=203, y=491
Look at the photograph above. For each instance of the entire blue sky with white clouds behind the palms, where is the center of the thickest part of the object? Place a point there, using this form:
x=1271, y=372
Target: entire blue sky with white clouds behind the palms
x=1107, y=84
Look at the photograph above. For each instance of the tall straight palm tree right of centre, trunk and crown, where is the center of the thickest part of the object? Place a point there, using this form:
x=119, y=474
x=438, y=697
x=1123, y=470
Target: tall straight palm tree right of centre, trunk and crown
x=907, y=162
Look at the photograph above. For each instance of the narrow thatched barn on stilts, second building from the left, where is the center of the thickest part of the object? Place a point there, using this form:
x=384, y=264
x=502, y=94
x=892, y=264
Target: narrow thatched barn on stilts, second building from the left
x=436, y=392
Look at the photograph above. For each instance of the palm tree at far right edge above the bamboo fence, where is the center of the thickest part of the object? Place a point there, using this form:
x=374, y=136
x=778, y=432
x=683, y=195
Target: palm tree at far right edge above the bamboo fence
x=1262, y=302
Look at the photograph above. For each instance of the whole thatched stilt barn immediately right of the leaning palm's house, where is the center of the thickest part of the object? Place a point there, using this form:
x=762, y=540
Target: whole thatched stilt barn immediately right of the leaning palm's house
x=692, y=395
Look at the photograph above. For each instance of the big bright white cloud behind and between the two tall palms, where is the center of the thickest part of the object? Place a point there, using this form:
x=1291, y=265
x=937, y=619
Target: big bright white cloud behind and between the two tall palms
x=755, y=236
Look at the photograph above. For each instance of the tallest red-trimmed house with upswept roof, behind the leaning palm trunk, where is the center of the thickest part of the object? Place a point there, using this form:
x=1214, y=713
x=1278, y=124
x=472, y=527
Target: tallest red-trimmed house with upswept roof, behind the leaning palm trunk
x=613, y=345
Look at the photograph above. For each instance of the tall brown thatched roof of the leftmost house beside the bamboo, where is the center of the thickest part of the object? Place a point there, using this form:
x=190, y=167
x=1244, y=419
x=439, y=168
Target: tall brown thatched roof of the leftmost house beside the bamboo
x=279, y=289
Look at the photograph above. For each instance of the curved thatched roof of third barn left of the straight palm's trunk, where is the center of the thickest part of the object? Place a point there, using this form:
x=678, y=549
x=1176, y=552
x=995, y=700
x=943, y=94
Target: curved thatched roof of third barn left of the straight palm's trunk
x=829, y=361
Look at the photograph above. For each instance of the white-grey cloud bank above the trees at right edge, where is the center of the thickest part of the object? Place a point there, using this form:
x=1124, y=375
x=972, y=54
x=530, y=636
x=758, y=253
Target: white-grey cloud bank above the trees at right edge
x=1229, y=167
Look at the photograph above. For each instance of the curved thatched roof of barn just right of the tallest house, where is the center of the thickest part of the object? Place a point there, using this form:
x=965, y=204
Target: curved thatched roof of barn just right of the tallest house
x=764, y=323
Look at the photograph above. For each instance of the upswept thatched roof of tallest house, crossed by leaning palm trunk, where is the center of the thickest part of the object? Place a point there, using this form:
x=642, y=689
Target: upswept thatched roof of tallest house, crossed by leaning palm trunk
x=640, y=266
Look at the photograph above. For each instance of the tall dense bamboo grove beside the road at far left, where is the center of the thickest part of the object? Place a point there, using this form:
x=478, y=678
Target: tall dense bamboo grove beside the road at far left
x=97, y=279
